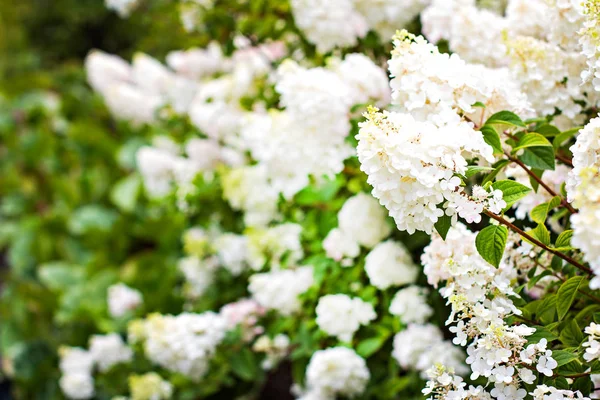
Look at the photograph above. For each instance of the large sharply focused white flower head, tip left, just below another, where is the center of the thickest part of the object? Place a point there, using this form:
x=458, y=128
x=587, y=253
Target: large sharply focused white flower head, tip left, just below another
x=412, y=166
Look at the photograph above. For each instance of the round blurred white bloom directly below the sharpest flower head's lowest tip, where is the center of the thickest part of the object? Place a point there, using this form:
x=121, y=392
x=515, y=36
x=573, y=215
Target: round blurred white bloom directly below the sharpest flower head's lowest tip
x=390, y=264
